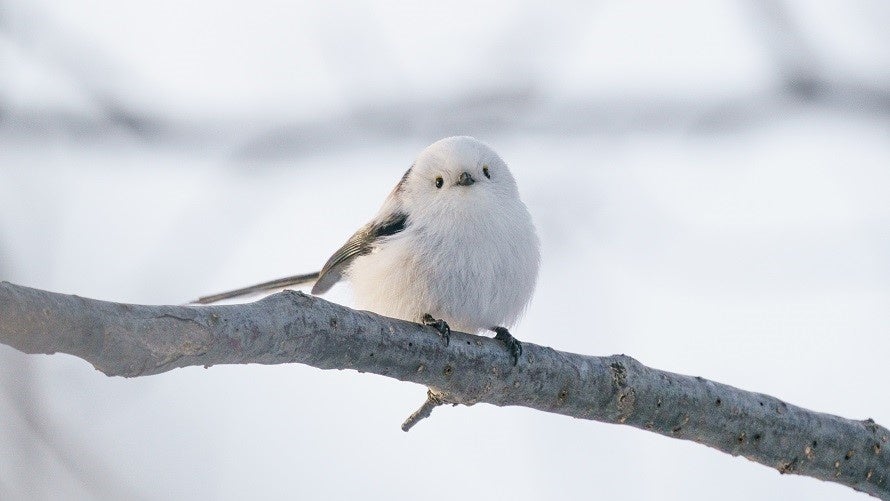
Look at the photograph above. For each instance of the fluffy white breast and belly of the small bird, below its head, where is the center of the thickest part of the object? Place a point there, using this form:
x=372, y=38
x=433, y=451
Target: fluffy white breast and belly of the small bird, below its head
x=476, y=270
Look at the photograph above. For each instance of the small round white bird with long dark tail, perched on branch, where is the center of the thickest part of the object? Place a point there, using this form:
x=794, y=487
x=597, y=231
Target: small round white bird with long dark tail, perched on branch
x=453, y=247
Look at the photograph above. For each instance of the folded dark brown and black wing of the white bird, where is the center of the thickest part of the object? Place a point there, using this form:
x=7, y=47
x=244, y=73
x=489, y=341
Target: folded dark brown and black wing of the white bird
x=359, y=244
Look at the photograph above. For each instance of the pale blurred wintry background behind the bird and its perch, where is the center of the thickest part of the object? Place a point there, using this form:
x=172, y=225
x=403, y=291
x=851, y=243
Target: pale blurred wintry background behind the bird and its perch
x=710, y=180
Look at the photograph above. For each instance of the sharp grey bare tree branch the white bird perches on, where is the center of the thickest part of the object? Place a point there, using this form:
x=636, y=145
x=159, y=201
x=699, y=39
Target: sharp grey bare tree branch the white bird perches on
x=136, y=340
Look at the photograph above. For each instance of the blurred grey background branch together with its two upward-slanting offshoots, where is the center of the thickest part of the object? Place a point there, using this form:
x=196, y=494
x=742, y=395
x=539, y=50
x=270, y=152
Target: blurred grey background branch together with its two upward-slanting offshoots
x=511, y=108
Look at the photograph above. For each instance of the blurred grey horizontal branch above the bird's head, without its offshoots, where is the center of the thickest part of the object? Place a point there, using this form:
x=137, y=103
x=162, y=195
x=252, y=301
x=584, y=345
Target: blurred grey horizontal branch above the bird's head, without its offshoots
x=516, y=111
